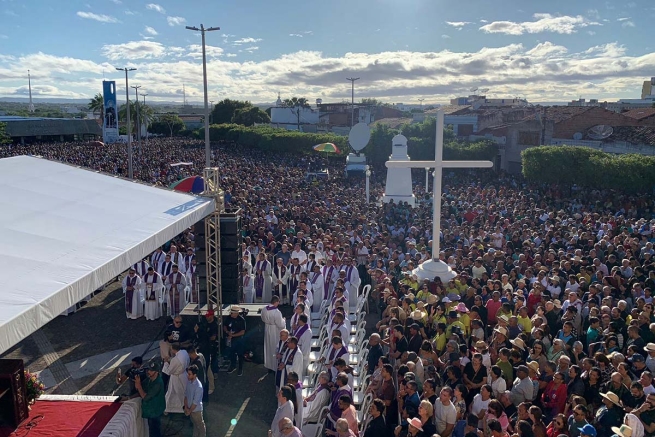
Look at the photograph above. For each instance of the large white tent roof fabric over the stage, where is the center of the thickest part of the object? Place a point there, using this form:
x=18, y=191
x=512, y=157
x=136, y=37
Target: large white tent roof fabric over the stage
x=66, y=231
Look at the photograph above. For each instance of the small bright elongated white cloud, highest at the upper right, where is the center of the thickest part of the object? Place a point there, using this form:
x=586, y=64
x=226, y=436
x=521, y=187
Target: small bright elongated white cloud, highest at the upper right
x=544, y=23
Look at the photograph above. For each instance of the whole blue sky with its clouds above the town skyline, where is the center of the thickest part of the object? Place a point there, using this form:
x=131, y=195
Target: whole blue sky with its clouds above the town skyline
x=403, y=50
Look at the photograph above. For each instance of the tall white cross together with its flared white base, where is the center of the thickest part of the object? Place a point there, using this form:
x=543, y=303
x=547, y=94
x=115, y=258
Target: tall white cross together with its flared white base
x=435, y=267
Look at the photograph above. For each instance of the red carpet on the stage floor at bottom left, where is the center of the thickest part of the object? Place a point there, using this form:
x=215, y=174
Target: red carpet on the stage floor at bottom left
x=65, y=419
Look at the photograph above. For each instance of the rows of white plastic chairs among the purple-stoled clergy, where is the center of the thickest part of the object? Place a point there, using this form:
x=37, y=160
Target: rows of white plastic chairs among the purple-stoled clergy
x=358, y=353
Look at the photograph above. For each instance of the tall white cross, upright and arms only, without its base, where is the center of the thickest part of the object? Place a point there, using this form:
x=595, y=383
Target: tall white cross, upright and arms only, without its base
x=438, y=164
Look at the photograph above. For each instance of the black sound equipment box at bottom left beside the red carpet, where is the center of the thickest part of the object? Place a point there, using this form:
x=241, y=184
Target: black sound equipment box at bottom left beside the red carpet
x=13, y=393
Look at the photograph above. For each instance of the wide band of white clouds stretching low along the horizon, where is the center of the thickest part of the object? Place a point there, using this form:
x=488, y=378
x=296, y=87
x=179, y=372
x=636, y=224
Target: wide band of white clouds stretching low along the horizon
x=540, y=72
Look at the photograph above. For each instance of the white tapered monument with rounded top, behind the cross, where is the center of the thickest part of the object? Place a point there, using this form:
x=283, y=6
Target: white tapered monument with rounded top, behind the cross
x=399, y=177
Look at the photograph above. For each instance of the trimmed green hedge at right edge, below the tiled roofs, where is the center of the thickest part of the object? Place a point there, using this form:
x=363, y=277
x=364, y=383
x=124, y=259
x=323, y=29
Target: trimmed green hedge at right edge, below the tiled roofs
x=589, y=167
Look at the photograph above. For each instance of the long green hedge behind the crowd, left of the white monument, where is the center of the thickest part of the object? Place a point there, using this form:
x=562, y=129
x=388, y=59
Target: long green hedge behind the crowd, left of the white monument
x=277, y=140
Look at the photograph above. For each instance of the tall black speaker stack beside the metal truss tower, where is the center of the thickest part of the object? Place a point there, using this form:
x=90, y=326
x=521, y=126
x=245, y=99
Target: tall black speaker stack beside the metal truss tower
x=231, y=255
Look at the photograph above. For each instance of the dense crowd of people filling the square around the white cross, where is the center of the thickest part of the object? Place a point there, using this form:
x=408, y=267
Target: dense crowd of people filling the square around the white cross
x=547, y=329
